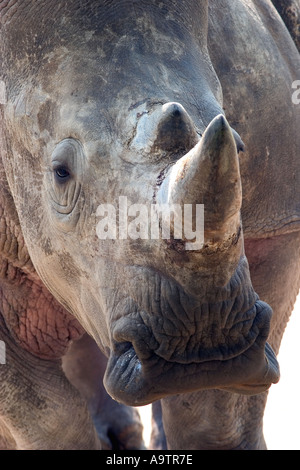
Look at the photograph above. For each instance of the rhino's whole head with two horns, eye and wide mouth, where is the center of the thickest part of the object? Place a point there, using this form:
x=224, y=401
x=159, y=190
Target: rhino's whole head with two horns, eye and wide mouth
x=123, y=105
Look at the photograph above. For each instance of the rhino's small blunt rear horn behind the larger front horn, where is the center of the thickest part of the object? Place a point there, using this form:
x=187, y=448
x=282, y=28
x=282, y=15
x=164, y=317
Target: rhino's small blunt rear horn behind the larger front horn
x=175, y=130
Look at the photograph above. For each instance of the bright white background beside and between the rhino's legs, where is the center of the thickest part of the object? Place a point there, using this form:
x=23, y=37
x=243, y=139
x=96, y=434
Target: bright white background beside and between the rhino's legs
x=282, y=414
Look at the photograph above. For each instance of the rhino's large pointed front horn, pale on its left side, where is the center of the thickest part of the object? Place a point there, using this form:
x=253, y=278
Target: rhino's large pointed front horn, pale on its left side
x=209, y=174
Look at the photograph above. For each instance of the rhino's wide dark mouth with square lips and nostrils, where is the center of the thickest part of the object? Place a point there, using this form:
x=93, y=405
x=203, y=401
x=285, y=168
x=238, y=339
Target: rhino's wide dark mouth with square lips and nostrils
x=137, y=374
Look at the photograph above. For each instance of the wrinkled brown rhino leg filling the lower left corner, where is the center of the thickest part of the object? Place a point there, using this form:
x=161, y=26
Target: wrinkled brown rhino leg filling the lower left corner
x=39, y=408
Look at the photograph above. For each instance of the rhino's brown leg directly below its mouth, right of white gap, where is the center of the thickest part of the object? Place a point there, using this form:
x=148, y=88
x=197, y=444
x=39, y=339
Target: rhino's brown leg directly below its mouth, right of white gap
x=214, y=420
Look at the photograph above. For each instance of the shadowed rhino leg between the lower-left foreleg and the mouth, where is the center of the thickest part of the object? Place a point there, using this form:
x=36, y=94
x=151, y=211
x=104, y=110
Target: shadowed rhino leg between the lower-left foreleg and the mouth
x=119, y=427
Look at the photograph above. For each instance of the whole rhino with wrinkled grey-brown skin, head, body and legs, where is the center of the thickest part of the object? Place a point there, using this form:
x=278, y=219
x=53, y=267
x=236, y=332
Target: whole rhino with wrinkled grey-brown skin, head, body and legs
x=122, y=98
